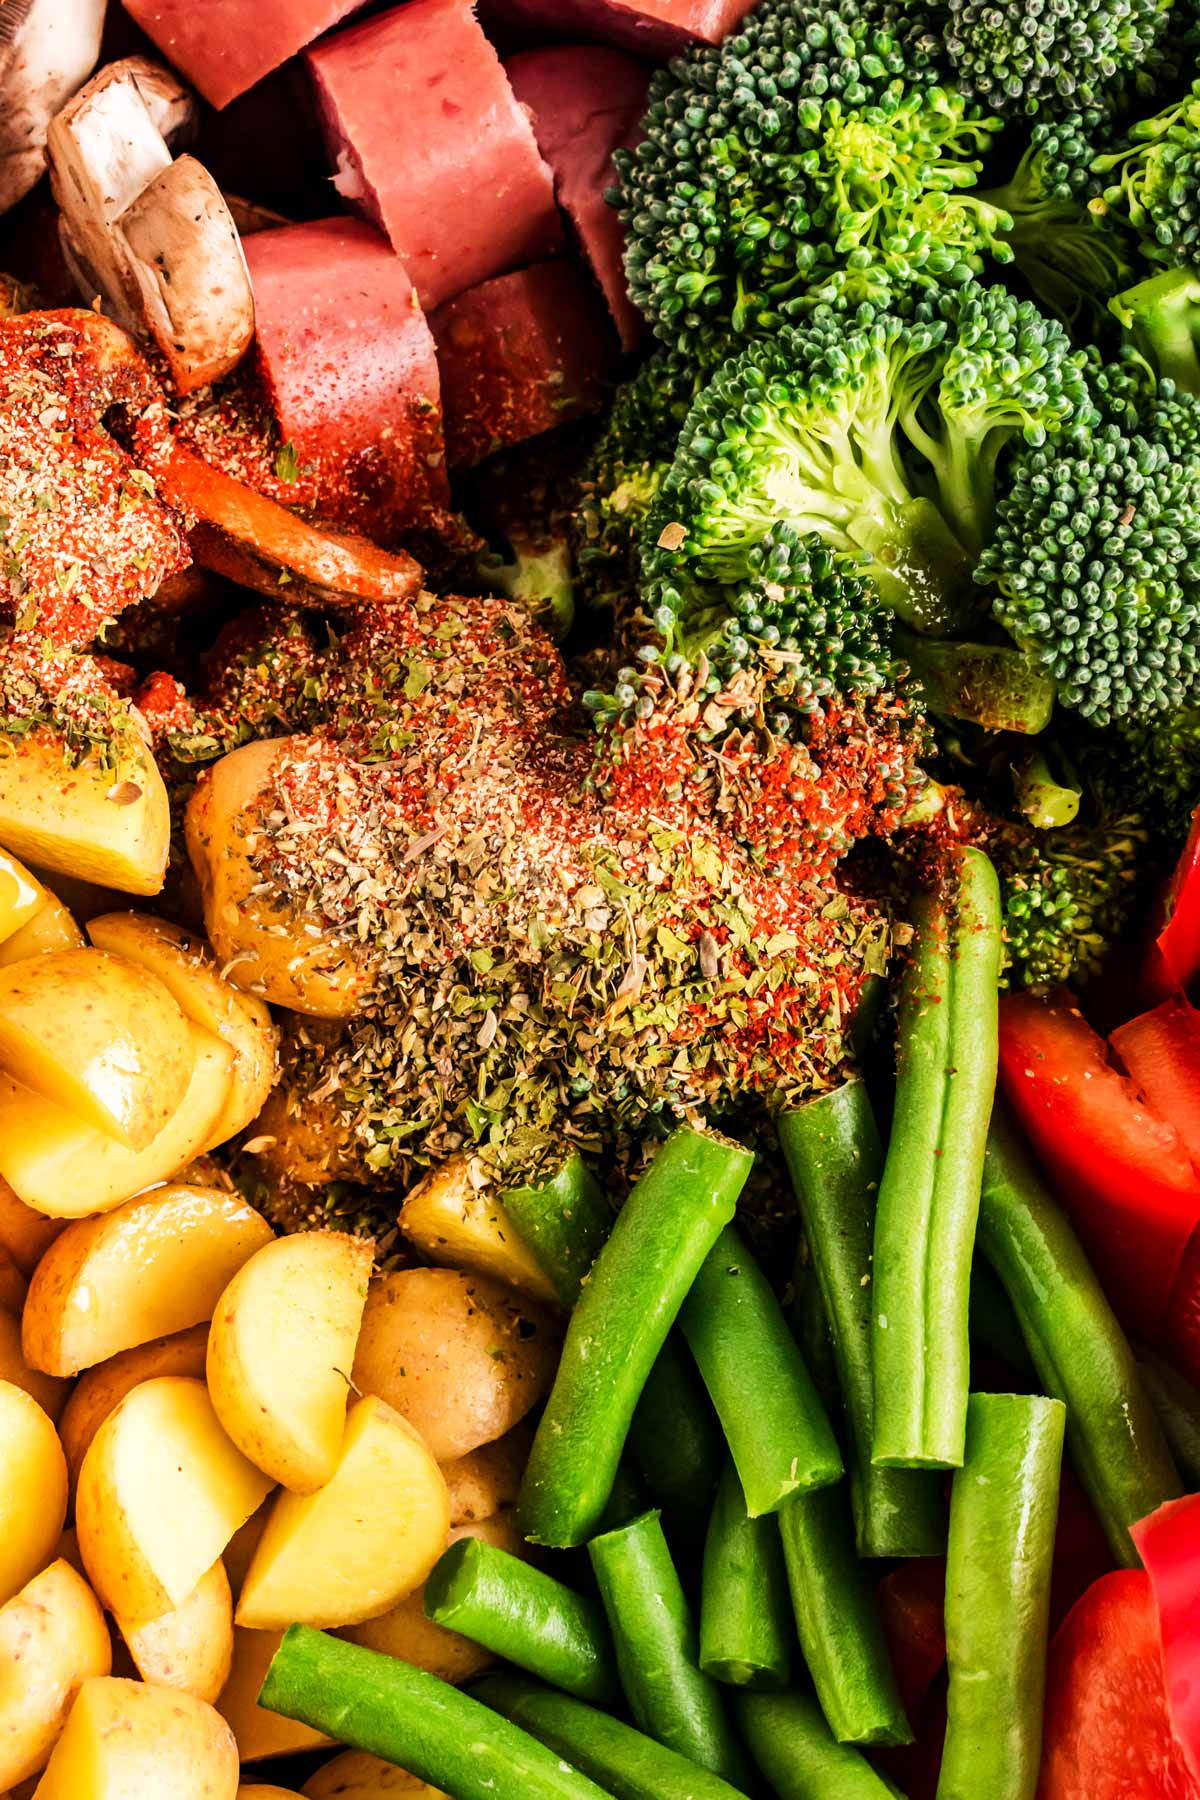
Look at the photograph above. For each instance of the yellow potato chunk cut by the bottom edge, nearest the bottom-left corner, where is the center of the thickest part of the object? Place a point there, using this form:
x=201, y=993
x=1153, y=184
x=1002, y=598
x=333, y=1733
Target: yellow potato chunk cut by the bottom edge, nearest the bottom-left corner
x=134, y=1741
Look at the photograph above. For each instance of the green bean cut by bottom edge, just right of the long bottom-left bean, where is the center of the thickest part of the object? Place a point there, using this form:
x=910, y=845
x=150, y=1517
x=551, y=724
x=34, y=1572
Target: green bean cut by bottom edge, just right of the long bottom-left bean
x=625, y=1763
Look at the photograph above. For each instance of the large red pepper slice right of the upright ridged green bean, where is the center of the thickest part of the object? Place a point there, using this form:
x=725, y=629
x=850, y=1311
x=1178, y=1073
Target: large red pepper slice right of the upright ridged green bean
x=1120, y=1169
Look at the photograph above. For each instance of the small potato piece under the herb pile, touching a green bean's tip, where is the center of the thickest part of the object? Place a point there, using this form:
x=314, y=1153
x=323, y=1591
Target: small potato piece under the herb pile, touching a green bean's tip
x=463, y=1228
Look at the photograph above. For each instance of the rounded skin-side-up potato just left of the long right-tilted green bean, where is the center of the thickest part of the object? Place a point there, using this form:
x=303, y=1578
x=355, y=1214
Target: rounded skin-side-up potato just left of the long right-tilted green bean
x=460, y=1356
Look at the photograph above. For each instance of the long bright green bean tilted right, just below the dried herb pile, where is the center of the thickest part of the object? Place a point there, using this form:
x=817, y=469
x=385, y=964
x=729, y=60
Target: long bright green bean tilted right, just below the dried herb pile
x=629, y=1304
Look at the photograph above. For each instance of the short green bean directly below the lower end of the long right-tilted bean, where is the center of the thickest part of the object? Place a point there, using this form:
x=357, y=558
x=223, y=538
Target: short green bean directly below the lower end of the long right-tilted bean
x=658, y=1650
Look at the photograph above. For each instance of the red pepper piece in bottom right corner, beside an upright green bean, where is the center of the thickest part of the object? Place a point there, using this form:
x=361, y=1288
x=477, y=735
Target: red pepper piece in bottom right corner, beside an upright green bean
x=1107, y=1722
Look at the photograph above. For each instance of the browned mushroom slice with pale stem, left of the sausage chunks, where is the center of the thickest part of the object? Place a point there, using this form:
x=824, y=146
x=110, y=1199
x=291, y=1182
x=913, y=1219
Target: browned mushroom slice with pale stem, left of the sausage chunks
x=150, y=233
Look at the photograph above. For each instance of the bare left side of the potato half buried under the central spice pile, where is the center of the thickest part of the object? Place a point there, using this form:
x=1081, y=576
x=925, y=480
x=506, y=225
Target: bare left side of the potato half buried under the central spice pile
x=276, y=953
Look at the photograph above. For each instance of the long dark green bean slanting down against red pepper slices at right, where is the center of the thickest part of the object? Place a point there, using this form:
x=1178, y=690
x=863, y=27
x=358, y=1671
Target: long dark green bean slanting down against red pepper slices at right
x=1079, y=1349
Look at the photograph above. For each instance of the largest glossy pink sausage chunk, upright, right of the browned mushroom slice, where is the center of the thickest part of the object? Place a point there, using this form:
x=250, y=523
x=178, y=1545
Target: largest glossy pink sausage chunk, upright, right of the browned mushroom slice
x=431, y=145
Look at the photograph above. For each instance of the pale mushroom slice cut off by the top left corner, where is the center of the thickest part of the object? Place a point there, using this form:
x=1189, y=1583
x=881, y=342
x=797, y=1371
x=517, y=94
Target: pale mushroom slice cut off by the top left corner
x=48, y=48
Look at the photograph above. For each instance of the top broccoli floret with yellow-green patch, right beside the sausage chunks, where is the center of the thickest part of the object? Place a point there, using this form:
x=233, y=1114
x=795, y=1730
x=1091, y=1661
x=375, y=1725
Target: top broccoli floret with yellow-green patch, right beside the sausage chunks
x=814, y=156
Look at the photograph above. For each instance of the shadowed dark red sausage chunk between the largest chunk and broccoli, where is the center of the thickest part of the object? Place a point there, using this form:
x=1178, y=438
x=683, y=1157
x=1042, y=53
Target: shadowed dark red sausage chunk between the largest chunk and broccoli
x=584, y=103
